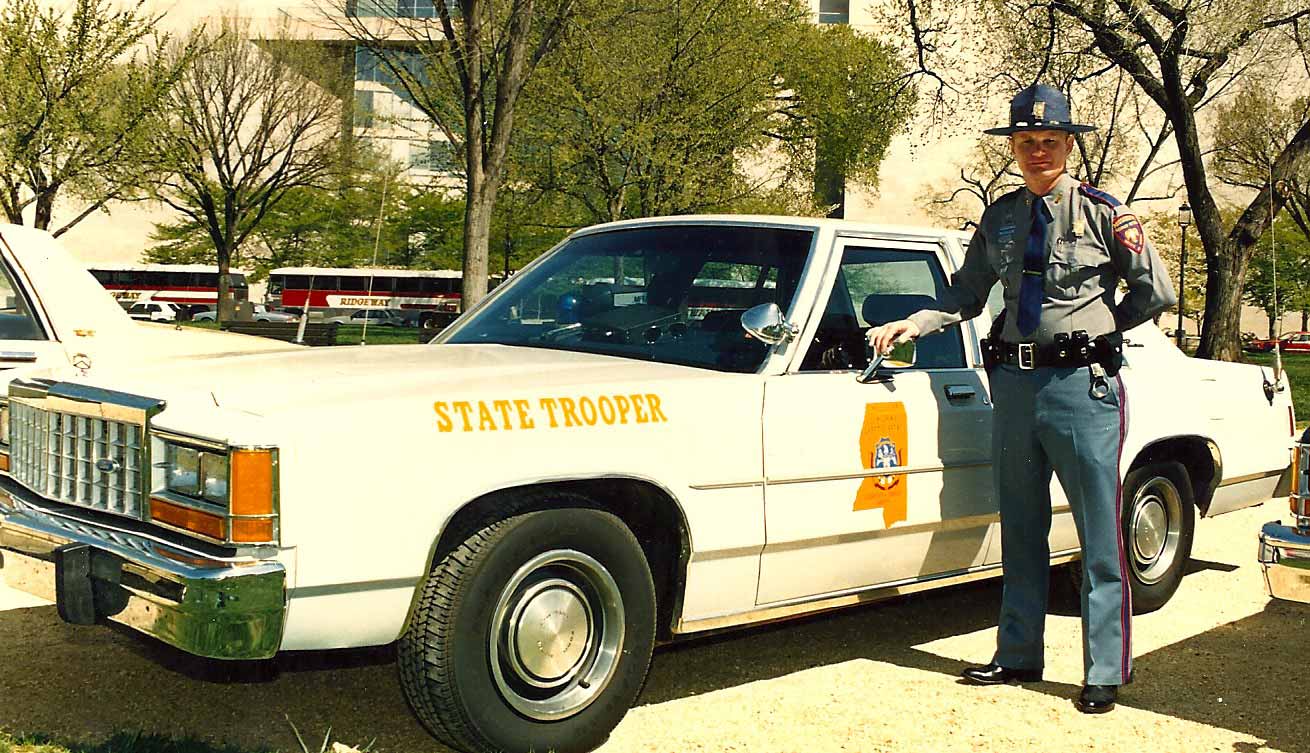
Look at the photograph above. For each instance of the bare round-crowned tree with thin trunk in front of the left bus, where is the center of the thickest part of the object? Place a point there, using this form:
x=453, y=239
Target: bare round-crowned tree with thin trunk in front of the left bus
x=247, y=125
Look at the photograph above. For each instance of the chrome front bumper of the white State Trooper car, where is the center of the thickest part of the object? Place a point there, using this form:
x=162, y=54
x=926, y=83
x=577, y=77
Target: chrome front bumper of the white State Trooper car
x=221, y=608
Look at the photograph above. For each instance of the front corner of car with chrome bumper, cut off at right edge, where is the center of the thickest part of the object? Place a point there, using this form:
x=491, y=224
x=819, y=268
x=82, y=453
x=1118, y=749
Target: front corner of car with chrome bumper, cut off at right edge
x=1286, y=549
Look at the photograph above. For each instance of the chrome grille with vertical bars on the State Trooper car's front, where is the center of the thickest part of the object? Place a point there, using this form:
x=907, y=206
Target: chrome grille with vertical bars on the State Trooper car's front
x=56, y=455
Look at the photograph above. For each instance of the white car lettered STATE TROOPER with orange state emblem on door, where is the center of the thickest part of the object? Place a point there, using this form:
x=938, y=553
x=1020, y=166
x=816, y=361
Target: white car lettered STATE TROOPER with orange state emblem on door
x=702, y=447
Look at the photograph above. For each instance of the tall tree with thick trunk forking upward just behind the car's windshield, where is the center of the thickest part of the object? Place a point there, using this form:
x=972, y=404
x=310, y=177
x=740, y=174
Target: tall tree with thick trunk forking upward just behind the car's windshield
x=466, y=71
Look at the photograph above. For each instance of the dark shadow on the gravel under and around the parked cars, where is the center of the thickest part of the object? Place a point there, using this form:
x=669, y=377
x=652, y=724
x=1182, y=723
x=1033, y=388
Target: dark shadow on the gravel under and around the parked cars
x=87, y=684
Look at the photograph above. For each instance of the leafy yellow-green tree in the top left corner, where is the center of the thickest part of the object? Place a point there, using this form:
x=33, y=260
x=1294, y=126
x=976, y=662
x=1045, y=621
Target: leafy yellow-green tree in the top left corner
x=79, y=104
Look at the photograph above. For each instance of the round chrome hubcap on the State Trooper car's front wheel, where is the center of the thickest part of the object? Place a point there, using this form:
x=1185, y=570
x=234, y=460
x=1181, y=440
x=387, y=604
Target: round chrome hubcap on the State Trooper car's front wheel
x=557, y=633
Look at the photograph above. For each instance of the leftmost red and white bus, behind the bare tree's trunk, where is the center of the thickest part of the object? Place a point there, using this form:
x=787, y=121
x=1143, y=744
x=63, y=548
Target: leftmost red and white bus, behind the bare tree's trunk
x=183, y=285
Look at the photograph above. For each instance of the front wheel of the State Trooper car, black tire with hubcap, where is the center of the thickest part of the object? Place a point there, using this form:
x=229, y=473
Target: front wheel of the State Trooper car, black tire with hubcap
x=472, y=662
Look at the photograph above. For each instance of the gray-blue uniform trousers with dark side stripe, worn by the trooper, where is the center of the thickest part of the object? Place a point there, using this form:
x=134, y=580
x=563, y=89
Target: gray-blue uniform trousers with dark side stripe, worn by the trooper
x=1046, y=420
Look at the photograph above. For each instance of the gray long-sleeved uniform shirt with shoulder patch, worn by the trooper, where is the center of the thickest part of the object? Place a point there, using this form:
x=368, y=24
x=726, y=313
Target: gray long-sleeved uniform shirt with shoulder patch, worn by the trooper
x=1093, y=243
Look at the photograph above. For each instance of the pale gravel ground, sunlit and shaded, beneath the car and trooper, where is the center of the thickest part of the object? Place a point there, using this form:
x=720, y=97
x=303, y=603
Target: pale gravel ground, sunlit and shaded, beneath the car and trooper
x=1220, y=669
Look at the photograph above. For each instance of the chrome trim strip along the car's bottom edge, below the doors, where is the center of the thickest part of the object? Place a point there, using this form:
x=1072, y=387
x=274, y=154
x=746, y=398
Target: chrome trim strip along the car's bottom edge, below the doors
x=826, y=603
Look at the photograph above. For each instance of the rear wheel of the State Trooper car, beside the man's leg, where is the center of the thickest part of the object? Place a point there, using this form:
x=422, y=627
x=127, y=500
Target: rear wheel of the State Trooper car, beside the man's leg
x=1159, y=523
